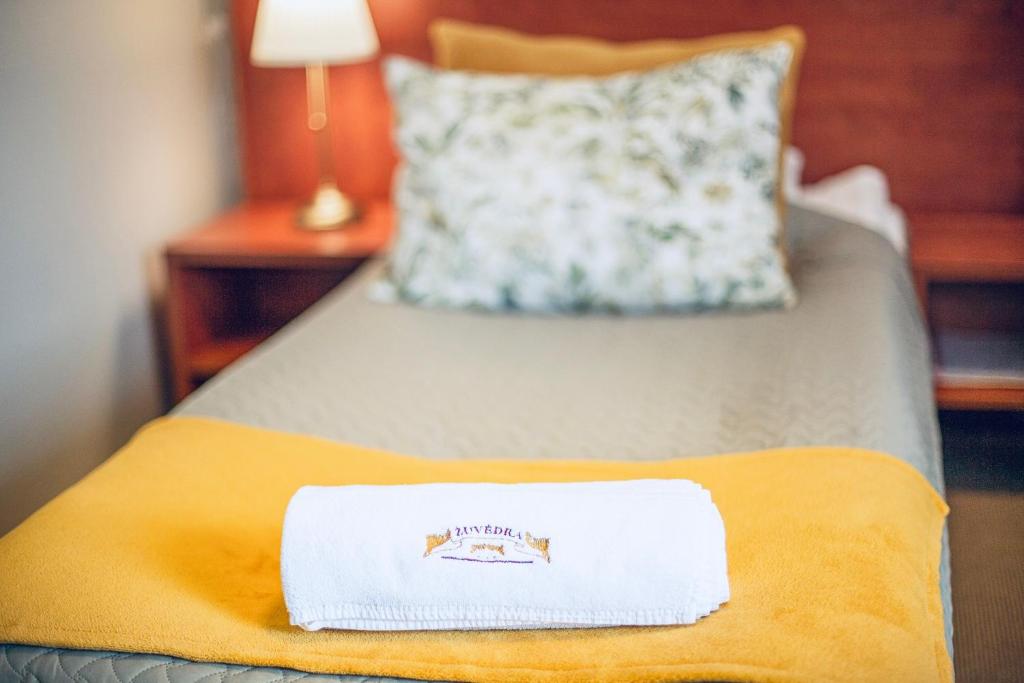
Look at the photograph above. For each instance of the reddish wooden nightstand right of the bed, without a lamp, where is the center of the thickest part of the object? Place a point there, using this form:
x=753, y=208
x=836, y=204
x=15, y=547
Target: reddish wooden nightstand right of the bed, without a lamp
x=969, y=271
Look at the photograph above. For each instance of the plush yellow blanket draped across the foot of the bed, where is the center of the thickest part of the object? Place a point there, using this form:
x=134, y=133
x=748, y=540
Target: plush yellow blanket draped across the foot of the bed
x=173, y=547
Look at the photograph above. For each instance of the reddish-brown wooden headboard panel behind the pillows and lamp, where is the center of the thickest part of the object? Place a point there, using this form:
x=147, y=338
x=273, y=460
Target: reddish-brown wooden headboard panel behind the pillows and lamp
x=932, y=92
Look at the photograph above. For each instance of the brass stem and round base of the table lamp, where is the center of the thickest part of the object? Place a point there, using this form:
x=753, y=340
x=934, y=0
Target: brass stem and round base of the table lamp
x=329, y=208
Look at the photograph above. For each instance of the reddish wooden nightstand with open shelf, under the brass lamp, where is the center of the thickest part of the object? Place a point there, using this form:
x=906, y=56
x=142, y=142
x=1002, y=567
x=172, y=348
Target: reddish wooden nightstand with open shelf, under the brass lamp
x=238, y=280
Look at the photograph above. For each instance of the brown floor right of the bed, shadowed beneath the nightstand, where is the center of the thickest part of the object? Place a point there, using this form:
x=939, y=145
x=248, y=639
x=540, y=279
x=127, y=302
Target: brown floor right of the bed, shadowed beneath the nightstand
x=985, y=467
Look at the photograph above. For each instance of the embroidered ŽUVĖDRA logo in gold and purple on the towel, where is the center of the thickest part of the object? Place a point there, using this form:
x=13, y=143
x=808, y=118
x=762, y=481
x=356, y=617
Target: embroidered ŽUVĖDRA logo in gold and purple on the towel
x=489, y=544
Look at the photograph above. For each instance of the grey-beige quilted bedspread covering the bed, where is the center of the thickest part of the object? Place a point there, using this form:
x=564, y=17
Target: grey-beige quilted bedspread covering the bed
x=849, y=366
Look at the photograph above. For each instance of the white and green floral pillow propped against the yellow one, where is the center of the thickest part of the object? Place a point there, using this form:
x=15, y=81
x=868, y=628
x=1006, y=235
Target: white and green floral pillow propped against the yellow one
x=641, y=192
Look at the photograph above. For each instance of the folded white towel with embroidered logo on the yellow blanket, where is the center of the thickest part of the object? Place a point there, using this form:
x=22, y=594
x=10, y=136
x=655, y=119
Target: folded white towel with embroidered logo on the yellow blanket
x=503, y=557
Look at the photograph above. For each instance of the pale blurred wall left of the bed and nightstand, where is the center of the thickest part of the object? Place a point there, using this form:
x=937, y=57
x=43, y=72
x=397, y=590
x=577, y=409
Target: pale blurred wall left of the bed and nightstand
x=116, y=133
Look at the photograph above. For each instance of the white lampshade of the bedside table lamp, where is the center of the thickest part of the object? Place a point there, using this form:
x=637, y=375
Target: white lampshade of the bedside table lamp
x=295, y=33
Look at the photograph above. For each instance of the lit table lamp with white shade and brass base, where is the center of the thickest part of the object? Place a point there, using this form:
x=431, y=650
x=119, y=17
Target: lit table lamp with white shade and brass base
x=315, y=34
